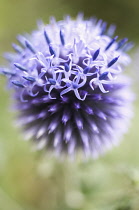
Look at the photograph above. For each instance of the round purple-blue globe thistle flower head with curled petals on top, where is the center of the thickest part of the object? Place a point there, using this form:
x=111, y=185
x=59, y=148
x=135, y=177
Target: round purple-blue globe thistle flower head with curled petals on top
x=69, y=87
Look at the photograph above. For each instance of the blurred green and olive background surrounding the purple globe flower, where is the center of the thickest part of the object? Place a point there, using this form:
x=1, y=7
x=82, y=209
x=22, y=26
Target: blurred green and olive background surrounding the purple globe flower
x=36, y=181
